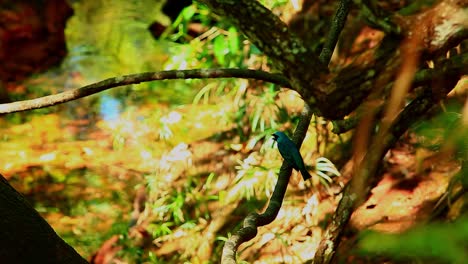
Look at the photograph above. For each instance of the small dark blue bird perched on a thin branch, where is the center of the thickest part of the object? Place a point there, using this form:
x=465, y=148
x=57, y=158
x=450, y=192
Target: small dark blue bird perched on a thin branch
x=290, y=153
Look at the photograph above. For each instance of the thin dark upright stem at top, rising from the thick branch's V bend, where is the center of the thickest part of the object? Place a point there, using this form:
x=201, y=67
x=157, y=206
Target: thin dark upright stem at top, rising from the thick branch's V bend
x=337, y=25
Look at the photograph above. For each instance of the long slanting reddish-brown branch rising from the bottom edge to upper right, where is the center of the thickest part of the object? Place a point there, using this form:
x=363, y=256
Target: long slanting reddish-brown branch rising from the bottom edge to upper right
x=390, y=129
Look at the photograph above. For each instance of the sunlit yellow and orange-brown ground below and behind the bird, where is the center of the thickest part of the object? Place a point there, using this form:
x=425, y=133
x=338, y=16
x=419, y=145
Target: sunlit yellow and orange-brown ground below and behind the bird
x=86, y=188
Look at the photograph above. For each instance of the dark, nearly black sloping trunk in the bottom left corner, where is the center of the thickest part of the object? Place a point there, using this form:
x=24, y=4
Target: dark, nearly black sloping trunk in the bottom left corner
x=25, y=237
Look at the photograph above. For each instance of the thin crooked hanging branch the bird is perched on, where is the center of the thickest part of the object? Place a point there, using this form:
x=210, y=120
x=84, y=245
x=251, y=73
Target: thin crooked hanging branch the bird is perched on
x=255, y=220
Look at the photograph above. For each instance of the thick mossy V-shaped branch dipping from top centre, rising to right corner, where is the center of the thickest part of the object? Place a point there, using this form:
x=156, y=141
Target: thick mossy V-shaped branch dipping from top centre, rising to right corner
x=335, y=95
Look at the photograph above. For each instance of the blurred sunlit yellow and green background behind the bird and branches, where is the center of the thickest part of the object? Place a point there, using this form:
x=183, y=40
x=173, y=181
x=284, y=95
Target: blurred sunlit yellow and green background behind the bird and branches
x=168, y=169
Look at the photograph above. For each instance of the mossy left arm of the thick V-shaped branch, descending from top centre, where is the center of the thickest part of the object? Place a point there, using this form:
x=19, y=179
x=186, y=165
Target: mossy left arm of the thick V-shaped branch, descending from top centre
x=287, y=52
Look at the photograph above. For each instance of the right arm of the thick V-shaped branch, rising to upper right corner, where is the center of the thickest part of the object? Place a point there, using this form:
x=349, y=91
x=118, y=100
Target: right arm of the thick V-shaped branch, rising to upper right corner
x=439, y=31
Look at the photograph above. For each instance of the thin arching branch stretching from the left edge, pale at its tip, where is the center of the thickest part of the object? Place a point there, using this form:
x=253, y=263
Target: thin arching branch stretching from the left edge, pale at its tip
x=94, y=88
